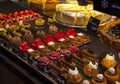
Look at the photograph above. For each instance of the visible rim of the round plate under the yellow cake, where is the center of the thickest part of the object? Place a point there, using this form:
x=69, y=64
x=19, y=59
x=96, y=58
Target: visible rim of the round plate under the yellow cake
x=81, y=26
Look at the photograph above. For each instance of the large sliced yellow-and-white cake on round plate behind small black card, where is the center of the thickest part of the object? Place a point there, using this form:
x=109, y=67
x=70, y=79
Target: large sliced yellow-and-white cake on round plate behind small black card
x=77, y=15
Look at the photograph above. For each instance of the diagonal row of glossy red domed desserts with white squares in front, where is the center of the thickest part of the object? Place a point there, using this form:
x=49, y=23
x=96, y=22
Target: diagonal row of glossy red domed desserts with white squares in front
x=50, y=40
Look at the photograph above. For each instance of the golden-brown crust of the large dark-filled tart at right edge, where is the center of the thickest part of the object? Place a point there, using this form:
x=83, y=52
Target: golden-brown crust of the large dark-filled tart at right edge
x=106, y=38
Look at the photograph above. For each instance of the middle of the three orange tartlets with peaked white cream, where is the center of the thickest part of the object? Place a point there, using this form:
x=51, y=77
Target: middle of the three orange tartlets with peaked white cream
x=91, y=69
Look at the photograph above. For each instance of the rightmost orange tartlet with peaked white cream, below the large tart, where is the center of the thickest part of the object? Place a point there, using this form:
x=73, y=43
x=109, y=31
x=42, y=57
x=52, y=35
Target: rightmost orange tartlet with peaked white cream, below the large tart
x=109, y=61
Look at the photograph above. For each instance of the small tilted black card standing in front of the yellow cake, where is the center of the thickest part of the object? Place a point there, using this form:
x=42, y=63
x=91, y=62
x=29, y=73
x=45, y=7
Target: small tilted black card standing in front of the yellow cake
x=93, y=24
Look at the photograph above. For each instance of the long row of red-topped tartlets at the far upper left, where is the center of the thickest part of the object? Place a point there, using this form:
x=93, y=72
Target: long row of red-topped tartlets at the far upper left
x=25, y=15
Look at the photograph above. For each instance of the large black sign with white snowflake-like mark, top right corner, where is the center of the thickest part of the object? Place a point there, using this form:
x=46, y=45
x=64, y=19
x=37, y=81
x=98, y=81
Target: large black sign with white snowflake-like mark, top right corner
x=108, y=6
